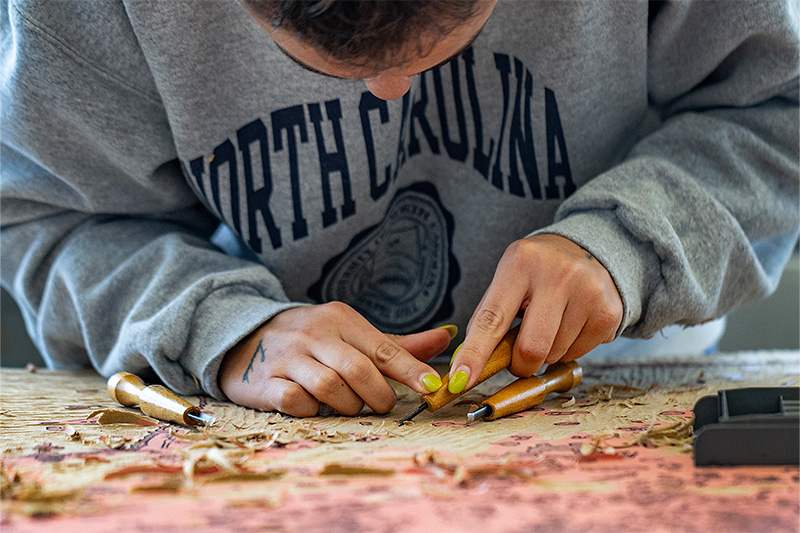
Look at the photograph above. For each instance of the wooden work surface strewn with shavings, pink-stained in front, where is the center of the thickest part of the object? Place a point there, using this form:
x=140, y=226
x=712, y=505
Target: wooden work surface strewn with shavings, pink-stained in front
x=596, y=458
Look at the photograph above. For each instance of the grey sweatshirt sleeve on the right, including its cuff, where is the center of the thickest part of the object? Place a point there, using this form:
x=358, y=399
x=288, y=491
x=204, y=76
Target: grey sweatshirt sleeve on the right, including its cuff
x=702, y=214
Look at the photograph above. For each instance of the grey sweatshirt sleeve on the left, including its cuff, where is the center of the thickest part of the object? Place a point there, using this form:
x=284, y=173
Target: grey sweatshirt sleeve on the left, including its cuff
x=104, y=246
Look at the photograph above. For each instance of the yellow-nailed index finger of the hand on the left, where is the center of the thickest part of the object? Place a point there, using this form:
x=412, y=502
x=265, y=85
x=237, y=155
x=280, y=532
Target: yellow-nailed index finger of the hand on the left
x=393, y=360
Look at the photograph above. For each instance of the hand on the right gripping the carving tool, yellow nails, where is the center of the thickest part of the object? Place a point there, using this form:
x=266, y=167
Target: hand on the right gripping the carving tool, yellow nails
x=567, y=301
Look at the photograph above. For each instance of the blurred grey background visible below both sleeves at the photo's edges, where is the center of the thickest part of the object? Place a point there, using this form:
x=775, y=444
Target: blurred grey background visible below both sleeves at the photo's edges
x=770, y=324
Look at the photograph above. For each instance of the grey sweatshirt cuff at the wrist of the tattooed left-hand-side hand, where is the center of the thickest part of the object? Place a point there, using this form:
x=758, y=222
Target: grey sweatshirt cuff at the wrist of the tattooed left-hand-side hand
x=225, y=317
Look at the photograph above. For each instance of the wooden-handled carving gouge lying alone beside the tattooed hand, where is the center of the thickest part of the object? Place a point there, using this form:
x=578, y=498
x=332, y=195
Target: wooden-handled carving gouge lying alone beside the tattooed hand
x=156, y=401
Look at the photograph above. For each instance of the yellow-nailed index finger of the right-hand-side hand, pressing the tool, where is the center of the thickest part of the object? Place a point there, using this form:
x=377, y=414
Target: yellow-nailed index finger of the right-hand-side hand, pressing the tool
x=489, y=323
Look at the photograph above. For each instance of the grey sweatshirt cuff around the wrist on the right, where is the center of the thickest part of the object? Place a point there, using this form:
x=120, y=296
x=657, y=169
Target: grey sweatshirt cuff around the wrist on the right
x=630, y=262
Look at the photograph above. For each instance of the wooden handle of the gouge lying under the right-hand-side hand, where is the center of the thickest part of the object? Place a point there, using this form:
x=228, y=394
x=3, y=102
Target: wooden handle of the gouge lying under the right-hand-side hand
x=528, y=392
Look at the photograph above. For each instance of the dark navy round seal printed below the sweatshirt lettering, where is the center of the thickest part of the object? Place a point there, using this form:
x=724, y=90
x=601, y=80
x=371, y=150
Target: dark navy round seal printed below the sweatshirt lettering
x=399, y=273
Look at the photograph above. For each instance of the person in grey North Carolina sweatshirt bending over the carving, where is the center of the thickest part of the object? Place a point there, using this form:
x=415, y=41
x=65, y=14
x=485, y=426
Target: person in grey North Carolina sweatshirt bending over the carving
x=286, y=202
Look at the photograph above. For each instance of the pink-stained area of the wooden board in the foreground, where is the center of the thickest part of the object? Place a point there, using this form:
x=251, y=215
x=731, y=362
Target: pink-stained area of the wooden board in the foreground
x=518, y=483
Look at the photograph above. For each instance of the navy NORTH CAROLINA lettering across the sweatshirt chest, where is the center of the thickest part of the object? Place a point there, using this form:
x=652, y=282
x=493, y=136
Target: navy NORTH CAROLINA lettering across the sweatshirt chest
x=234, y=168
